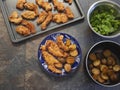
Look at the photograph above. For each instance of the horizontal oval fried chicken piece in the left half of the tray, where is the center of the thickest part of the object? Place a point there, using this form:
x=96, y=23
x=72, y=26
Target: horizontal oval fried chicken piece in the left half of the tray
x=28, y=14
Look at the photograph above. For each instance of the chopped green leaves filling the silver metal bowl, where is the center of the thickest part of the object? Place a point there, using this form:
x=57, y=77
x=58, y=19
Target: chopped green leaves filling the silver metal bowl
x=104, y=21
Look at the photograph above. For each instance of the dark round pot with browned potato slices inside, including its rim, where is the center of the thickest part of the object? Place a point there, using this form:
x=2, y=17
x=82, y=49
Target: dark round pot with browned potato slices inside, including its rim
x=103, y=63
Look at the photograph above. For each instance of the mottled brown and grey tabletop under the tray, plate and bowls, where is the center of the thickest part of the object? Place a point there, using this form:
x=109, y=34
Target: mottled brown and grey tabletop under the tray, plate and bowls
x=19, y=65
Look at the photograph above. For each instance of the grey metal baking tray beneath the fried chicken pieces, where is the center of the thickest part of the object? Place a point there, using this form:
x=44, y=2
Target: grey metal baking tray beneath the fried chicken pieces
x=8, y=6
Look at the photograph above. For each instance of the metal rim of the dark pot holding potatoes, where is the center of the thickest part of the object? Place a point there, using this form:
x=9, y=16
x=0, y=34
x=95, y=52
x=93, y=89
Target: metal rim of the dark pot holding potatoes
x=86, y=62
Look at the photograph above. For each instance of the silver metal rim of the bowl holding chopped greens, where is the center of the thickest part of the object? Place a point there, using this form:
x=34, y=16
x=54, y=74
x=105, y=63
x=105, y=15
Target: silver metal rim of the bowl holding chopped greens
x=89, y=12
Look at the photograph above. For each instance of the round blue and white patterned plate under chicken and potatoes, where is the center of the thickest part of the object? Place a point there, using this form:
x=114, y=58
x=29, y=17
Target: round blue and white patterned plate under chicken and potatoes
x=53, y=37
